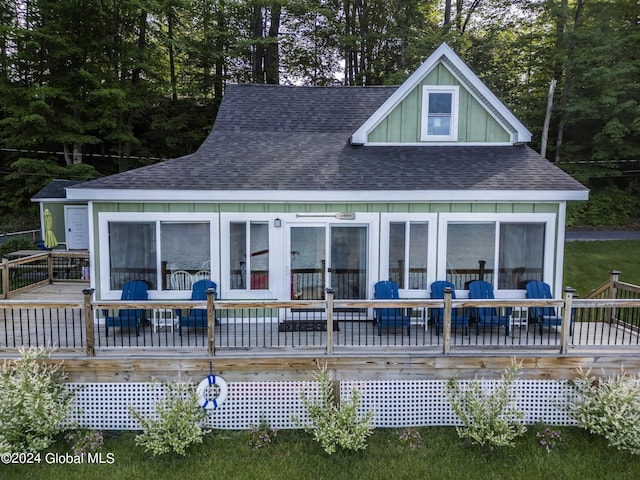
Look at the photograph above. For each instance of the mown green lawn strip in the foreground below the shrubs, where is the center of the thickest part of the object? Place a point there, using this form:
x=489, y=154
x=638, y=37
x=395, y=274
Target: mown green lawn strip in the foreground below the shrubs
x=294, y=455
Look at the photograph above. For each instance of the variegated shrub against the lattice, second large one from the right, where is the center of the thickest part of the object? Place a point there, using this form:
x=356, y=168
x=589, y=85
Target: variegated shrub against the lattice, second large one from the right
x=488, y=418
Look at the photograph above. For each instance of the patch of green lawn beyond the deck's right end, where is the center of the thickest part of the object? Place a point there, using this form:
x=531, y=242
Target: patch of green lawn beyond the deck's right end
x=587, y=264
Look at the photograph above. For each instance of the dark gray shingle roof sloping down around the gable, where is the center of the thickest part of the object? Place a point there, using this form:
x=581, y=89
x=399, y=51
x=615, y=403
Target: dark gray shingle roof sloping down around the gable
x=297, y=138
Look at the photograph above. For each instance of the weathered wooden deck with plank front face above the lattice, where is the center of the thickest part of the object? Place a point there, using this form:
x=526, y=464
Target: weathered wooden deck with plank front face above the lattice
x=245, y=351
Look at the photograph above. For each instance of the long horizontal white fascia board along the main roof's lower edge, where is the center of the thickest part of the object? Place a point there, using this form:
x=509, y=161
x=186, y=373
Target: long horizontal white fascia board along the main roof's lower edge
x=331, y=196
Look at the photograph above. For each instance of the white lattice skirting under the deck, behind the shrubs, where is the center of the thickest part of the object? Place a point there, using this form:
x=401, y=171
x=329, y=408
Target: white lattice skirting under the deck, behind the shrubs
x=106, y=406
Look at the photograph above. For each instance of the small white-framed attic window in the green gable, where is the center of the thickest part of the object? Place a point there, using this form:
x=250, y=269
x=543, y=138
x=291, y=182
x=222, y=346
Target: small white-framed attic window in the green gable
x=440, y=113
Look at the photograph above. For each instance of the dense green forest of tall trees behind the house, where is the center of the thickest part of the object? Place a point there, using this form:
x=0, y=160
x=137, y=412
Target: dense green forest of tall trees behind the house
x=93, y=87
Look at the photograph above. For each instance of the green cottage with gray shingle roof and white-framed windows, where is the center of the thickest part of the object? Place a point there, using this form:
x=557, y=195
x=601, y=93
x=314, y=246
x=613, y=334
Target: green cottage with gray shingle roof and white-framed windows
x=297, y=189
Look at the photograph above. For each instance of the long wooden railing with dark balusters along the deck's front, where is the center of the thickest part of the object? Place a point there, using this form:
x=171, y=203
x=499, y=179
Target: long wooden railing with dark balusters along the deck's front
x=328, y=326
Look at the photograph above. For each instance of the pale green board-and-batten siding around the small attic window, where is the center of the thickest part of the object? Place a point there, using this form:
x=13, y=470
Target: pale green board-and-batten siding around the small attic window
x=475, y=124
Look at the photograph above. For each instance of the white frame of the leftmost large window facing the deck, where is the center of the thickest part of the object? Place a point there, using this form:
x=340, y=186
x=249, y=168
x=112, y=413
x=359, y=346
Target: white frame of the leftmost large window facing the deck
x=151, y=217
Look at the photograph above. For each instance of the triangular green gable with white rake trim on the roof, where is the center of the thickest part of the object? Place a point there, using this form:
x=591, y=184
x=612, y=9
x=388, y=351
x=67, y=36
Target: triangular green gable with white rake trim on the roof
x=480, y=117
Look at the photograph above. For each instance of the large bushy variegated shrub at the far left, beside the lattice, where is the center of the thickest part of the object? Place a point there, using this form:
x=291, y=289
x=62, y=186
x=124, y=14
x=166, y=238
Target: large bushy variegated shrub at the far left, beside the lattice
x=35, y=403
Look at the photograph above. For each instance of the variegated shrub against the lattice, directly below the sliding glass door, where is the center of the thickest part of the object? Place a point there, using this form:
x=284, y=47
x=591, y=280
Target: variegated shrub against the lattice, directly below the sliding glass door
x=336, y=426
